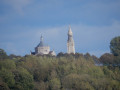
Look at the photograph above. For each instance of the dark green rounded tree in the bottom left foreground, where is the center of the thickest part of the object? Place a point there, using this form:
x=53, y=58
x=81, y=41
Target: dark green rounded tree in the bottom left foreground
x=23, y=79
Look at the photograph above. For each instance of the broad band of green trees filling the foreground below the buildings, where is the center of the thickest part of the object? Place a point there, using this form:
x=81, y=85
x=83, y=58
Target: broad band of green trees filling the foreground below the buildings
x=64, y=72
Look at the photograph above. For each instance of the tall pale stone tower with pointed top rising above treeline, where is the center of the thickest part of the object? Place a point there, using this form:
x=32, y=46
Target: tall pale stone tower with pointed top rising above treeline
x=70, y=42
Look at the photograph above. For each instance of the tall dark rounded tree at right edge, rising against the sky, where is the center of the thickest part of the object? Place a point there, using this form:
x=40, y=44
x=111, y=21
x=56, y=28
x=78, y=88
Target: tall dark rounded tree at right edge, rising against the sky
x=115, y=46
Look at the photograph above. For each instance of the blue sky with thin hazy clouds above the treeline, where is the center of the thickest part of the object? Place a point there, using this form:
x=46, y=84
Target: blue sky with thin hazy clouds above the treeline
x=93, y=22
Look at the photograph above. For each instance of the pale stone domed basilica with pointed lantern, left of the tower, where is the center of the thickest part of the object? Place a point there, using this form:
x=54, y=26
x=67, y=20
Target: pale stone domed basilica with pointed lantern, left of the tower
x=43, y=49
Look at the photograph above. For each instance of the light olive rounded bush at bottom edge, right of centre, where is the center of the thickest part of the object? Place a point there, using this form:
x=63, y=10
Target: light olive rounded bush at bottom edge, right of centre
x=77, y=82
